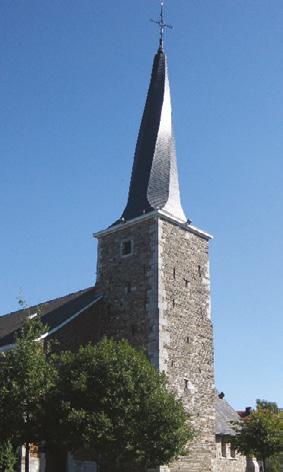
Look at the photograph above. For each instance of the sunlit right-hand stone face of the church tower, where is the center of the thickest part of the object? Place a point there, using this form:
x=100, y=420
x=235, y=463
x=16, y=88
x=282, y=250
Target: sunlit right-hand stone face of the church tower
x=186, y=343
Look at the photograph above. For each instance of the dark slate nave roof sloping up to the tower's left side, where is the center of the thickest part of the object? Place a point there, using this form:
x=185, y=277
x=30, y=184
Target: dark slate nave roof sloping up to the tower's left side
x=53, y=313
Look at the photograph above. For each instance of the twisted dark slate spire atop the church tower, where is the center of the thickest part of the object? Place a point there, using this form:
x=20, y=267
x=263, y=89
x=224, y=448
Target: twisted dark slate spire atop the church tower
x=154, y=182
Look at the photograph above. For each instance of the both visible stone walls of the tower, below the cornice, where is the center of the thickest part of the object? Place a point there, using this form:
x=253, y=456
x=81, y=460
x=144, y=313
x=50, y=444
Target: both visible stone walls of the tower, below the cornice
x=159, y=298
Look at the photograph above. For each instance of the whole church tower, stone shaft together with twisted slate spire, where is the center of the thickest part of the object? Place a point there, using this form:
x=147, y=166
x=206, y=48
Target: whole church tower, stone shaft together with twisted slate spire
x=153, y=271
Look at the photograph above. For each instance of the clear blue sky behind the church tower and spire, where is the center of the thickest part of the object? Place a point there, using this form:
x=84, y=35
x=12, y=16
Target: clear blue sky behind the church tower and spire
x=73, y=82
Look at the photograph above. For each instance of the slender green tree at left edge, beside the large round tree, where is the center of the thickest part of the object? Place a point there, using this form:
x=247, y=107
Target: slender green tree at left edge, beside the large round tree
x=25, y=379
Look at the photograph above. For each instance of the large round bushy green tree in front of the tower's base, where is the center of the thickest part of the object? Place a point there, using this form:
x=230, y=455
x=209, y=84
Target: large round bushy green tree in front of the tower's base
x=111, y=400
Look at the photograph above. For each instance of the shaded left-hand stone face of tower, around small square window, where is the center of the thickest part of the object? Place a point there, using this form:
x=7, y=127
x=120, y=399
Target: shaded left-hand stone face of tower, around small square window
x=129, y=284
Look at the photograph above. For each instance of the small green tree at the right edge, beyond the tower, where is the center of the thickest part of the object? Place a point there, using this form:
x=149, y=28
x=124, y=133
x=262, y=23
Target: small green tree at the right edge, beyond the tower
x=259, y=434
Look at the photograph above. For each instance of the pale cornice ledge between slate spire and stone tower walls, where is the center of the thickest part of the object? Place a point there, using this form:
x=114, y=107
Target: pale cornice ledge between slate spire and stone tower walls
x=157, y=214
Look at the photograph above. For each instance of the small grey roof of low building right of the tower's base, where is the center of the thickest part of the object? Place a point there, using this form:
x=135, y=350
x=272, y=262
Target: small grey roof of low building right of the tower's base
x=225, y=414
